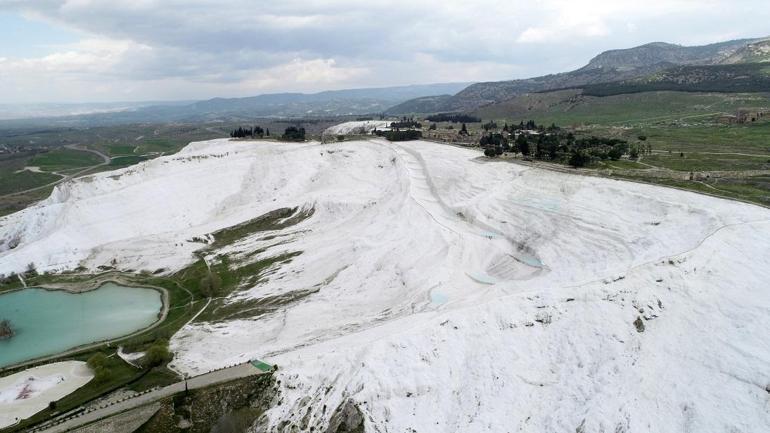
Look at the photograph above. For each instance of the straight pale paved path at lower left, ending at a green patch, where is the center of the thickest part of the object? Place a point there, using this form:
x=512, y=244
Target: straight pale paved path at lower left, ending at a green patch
x=202, y=381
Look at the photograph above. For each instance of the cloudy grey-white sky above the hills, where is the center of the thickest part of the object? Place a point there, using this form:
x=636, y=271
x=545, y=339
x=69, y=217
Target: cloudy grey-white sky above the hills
x=132, y=50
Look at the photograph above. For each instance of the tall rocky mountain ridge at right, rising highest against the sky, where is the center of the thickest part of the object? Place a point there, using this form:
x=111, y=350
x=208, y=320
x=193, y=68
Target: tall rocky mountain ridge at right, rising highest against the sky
x=609, y=66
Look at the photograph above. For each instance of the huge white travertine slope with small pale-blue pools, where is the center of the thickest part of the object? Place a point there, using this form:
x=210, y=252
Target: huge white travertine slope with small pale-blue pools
x=445, y=292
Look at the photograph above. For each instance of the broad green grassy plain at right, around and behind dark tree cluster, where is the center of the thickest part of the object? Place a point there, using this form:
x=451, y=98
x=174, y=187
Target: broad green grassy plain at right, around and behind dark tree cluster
x=683, y=130
